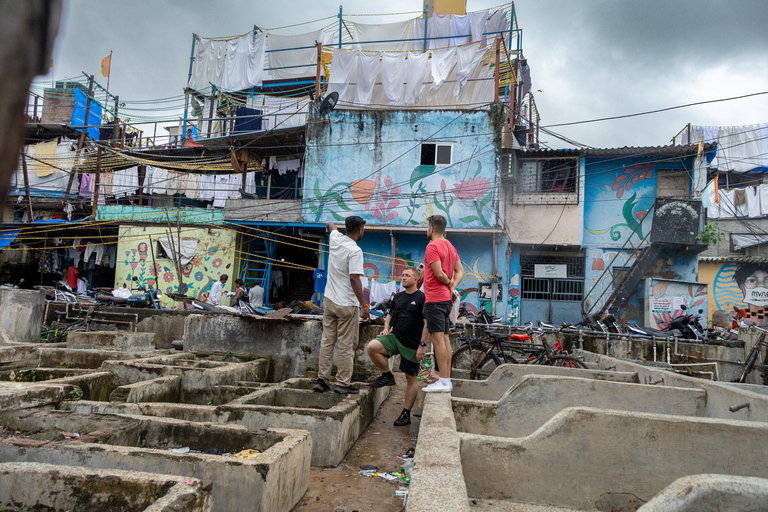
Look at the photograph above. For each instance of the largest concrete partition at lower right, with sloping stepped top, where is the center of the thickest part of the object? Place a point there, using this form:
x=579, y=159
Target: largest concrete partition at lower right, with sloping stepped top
x=613, y=459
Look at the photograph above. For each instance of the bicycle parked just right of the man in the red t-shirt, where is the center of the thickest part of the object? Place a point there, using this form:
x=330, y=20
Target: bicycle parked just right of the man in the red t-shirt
x=480, y=356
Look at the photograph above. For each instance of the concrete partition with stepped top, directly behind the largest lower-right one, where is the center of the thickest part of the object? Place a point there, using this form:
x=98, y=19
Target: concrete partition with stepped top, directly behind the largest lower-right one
x=535, y=399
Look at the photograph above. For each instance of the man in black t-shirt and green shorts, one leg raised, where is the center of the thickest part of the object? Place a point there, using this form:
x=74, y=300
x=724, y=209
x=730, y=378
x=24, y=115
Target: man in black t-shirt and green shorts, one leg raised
x=404, y=333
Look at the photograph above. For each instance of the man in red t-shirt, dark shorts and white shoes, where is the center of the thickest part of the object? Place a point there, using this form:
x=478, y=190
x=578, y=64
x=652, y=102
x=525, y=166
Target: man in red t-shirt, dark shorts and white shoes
x=442, y=274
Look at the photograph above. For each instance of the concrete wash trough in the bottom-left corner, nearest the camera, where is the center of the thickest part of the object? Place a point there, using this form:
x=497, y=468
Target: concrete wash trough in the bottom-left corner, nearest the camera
x=34, y=486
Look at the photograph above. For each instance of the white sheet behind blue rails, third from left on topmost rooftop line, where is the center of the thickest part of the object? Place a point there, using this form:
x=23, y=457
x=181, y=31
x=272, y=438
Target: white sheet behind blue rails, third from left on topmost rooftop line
x=305, y=58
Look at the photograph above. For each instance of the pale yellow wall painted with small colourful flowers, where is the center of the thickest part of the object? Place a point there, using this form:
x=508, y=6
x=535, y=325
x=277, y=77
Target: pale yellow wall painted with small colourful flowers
x=215, y=256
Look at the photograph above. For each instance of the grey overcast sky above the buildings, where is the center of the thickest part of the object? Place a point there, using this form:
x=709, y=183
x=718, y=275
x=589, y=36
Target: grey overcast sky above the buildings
x=589, y=58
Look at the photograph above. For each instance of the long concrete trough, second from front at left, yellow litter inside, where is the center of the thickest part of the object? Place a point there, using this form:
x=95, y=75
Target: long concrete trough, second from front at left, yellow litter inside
x=274, y=480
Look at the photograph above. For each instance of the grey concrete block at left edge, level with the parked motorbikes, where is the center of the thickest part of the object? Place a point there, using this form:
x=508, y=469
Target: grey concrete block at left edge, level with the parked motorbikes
x=21, y=315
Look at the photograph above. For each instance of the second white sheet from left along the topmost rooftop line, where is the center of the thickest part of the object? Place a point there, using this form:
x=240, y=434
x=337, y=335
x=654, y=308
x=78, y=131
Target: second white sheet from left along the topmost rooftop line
x=244, y=62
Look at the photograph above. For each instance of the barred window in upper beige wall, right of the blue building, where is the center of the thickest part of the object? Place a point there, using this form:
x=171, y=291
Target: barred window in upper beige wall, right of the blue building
x=547, y=181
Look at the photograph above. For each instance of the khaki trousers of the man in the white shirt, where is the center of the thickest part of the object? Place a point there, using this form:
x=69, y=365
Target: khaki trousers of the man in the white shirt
x=341, y=328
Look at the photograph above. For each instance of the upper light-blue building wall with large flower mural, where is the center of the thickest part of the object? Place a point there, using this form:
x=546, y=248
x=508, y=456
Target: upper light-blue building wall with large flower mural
x=367, y=163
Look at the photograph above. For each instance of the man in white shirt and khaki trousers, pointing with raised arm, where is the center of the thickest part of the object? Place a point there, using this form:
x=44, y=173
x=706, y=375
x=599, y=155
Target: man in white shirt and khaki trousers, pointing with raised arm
x=343, y=297
